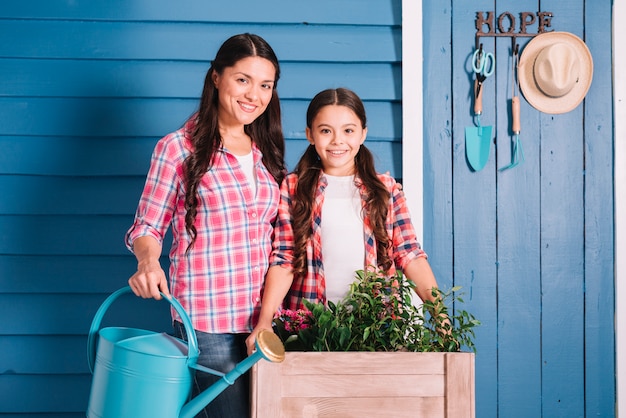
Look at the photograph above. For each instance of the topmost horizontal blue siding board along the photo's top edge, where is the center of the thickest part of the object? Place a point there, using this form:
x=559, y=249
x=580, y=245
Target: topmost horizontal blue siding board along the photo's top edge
x=366, y=12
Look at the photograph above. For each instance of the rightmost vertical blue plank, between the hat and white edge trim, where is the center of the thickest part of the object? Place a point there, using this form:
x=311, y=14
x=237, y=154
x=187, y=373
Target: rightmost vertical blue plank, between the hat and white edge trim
x=599, y=308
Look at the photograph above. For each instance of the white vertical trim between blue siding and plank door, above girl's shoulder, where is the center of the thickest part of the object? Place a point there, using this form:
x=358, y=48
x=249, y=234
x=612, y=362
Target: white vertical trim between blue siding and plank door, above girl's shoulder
x=412, y=115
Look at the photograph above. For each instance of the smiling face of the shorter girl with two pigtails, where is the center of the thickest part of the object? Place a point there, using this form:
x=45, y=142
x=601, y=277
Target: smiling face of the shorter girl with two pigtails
x=337, y=135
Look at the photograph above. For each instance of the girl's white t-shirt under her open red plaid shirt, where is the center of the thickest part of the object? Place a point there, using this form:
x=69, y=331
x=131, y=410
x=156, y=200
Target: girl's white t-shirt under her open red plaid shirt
x=343, y=243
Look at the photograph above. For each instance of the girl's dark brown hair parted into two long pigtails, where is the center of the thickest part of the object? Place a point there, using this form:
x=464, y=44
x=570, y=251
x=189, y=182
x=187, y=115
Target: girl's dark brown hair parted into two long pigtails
x=308, y=171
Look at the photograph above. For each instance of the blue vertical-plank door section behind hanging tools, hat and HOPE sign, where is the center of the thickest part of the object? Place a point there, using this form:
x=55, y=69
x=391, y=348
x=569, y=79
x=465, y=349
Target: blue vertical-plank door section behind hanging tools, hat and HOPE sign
x=532, y=246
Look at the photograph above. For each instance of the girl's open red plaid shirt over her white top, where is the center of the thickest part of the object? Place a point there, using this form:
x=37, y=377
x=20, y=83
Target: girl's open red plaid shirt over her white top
x=312, y=287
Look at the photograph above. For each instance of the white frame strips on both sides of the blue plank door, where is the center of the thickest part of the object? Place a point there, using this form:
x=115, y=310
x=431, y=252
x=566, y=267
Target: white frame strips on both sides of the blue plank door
x=412, y=155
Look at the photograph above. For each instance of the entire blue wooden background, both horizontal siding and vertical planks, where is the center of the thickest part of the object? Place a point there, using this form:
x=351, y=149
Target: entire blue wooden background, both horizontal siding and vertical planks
x=88, y=87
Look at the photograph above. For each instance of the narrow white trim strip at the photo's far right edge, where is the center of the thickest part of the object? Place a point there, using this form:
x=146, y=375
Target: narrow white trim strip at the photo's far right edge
x=619, y=136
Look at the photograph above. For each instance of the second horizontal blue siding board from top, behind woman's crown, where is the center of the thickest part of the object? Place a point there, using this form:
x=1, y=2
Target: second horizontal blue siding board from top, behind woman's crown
x=197, y=42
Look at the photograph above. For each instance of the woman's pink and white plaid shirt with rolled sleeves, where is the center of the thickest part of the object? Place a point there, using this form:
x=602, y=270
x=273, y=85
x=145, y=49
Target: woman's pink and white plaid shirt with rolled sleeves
x=219, y=281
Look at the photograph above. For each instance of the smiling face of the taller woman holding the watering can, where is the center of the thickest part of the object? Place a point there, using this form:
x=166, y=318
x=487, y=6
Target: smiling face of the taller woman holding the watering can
x=245, y=90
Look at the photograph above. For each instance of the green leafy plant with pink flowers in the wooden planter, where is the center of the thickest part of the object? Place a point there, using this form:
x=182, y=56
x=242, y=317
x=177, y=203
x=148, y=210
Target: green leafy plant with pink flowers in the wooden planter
x=378, y=314
